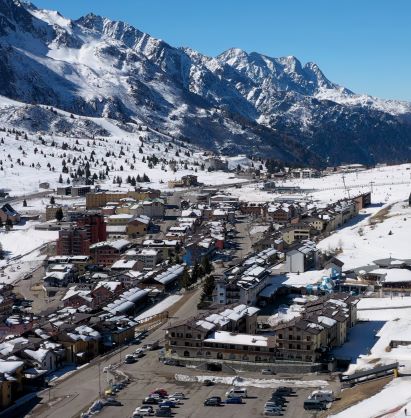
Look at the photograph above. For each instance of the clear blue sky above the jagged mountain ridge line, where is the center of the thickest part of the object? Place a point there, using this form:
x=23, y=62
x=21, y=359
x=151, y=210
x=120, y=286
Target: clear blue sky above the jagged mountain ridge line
x=362, y=44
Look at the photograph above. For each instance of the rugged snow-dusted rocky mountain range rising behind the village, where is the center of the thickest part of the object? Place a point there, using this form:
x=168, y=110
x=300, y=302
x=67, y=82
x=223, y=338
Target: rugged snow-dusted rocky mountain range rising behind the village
x=236, y=102
